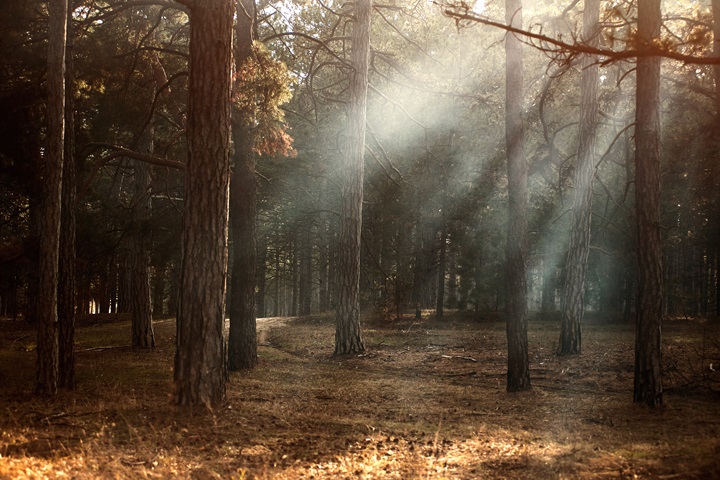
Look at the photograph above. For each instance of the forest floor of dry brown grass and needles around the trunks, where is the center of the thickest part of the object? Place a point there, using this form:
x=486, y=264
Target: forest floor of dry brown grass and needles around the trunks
x=427, y=400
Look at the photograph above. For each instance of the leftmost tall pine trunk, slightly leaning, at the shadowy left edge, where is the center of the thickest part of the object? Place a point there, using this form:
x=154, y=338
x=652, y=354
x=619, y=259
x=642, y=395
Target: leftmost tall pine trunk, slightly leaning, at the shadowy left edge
x=49, y=220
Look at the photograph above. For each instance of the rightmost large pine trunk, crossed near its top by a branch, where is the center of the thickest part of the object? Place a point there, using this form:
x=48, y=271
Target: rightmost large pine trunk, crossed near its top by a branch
x=648, y=380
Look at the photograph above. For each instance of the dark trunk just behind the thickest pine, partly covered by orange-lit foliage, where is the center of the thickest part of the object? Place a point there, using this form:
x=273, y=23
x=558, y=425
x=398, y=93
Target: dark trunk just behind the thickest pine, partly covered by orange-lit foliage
x=242, y=346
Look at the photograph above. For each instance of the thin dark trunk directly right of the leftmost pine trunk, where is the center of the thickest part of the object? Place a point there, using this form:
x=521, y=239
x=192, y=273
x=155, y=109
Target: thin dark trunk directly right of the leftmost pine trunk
x=66, y=275
